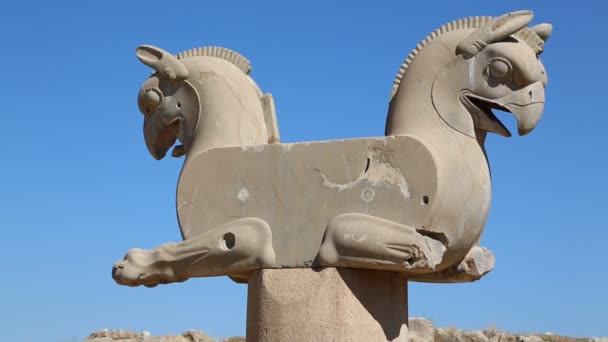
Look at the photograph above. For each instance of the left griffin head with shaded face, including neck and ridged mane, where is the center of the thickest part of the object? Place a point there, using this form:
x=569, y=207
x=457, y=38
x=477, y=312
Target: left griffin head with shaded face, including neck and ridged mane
x=202, y=97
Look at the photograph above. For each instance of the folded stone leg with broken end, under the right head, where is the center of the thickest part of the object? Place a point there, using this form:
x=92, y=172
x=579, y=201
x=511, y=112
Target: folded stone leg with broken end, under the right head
x=363, y=241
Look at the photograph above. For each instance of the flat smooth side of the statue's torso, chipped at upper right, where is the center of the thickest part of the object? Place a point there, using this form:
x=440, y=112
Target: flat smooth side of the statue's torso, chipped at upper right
x=299, y=188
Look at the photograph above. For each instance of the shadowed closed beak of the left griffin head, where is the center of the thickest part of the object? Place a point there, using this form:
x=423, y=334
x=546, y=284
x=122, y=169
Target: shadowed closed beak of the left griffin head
x=160, y=136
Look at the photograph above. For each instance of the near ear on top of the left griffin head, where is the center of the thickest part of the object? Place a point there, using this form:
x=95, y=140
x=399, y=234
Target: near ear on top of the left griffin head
x=162, y=61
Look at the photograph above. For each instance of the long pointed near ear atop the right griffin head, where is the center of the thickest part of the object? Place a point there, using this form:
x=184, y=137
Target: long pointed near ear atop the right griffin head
x=493, y=31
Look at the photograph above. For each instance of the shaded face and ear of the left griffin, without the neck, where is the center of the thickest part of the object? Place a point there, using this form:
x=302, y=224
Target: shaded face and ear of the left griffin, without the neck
x=169, y=103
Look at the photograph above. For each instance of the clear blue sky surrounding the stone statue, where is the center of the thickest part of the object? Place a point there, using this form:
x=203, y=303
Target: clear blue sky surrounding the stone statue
x=78, y=187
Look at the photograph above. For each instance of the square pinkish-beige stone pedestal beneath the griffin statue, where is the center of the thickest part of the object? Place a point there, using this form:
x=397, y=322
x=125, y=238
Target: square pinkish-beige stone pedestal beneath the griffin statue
x=327, y=304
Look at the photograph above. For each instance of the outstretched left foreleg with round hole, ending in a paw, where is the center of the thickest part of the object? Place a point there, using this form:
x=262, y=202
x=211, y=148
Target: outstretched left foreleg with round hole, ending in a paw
x=234, y=249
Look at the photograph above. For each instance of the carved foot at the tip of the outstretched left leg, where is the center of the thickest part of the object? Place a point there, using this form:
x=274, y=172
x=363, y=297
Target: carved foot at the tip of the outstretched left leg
x=144, y=267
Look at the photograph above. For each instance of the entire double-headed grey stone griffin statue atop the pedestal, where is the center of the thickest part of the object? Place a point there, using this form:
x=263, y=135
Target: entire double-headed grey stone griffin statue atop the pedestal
x=414, y=201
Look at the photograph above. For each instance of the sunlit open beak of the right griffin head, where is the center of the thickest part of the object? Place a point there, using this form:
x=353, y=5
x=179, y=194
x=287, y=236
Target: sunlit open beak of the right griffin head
x=526, y=105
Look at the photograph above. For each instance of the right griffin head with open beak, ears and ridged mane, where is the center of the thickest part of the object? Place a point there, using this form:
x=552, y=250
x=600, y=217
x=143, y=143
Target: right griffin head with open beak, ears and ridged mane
x=485, y=64
